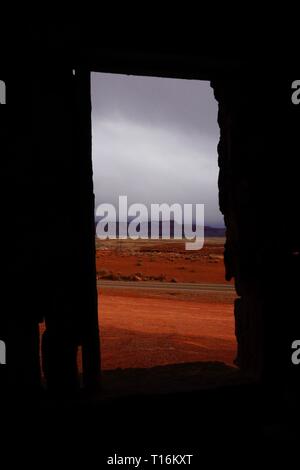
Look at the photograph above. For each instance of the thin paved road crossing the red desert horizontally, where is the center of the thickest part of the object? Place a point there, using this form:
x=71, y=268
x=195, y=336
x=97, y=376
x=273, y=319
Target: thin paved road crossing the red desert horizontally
x=167, y=286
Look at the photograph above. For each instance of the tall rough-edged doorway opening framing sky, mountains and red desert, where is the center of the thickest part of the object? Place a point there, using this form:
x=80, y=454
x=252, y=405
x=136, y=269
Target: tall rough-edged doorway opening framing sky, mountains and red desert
x=160, y=306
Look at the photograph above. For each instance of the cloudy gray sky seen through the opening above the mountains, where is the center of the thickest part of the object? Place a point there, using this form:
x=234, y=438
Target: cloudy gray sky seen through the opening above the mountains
x=155, y=140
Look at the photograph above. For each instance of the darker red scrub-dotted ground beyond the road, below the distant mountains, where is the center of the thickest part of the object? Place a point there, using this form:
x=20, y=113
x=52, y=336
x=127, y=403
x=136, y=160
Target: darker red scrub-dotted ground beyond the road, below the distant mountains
x=166, y=258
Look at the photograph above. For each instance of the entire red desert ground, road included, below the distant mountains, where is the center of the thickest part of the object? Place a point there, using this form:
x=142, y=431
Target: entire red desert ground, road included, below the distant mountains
x=159, y=304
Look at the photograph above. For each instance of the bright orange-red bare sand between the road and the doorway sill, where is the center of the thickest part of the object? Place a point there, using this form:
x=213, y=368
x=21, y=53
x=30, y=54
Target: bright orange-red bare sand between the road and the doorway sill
x=146, y=331
